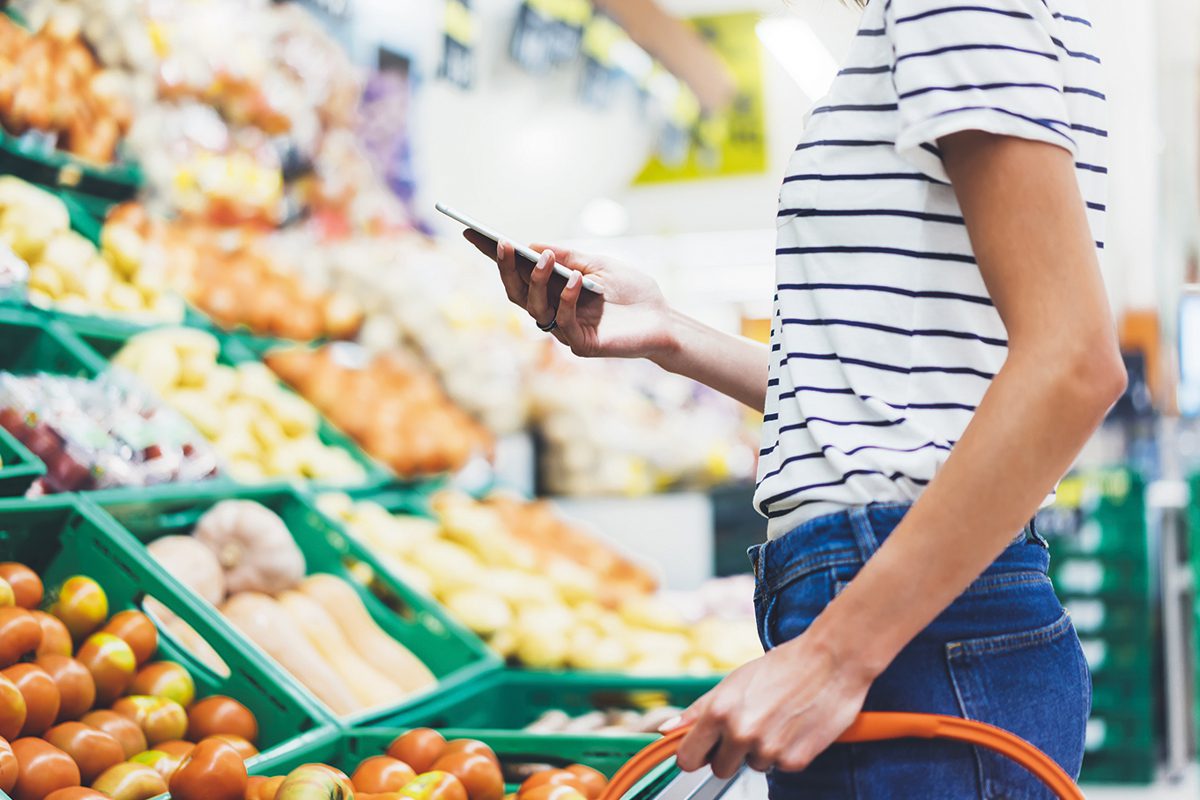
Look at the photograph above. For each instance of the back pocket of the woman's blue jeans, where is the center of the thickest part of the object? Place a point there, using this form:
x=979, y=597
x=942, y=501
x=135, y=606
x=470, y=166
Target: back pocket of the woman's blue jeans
x=1034, y=684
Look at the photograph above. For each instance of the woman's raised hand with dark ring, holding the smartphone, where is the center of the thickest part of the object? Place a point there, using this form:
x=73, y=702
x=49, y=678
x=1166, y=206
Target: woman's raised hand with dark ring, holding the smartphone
x=632, y=320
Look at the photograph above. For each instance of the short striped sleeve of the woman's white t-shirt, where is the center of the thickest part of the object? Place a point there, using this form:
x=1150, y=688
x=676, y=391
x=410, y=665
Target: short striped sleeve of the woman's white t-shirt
x=986, y=65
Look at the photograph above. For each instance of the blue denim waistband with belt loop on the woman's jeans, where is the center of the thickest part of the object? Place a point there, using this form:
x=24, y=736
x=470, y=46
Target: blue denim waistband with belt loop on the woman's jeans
x=851, y=537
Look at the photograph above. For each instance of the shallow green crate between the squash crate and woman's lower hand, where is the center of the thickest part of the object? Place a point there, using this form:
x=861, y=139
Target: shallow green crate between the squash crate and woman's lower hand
x=513, y=699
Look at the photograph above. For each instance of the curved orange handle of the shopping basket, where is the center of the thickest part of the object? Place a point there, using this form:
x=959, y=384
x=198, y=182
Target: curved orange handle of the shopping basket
x=880, y=726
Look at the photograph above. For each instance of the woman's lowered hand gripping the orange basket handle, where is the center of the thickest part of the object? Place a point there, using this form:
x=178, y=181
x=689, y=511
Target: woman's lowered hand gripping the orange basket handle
x=779, y=712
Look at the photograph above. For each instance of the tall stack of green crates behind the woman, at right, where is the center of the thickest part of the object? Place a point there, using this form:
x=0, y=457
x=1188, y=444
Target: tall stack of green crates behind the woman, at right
x=1101, y=567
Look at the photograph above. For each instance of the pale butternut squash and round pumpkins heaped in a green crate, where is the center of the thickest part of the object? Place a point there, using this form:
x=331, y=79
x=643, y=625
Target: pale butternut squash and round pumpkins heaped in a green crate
x=242, y=558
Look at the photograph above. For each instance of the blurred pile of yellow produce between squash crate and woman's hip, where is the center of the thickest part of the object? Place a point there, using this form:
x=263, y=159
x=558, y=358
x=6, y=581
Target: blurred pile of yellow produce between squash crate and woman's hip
x=506, y=579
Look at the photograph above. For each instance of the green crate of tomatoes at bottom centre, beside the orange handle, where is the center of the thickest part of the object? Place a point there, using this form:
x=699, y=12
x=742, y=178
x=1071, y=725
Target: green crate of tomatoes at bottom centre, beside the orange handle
x=607, y=755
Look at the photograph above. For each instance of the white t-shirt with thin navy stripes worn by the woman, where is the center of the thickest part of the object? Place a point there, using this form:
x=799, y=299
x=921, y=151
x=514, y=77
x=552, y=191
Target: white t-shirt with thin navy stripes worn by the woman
x=884, y=339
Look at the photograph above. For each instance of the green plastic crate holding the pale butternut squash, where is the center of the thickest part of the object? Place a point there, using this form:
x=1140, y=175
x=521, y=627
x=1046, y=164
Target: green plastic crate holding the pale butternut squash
x=455, y=657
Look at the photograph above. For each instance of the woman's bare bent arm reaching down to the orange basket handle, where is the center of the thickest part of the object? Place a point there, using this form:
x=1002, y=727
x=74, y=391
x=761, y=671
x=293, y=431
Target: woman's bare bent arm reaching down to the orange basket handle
x=1030, y=234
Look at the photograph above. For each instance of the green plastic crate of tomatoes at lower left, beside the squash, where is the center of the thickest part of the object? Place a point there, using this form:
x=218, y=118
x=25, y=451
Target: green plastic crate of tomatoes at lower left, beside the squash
x=63, y=536
